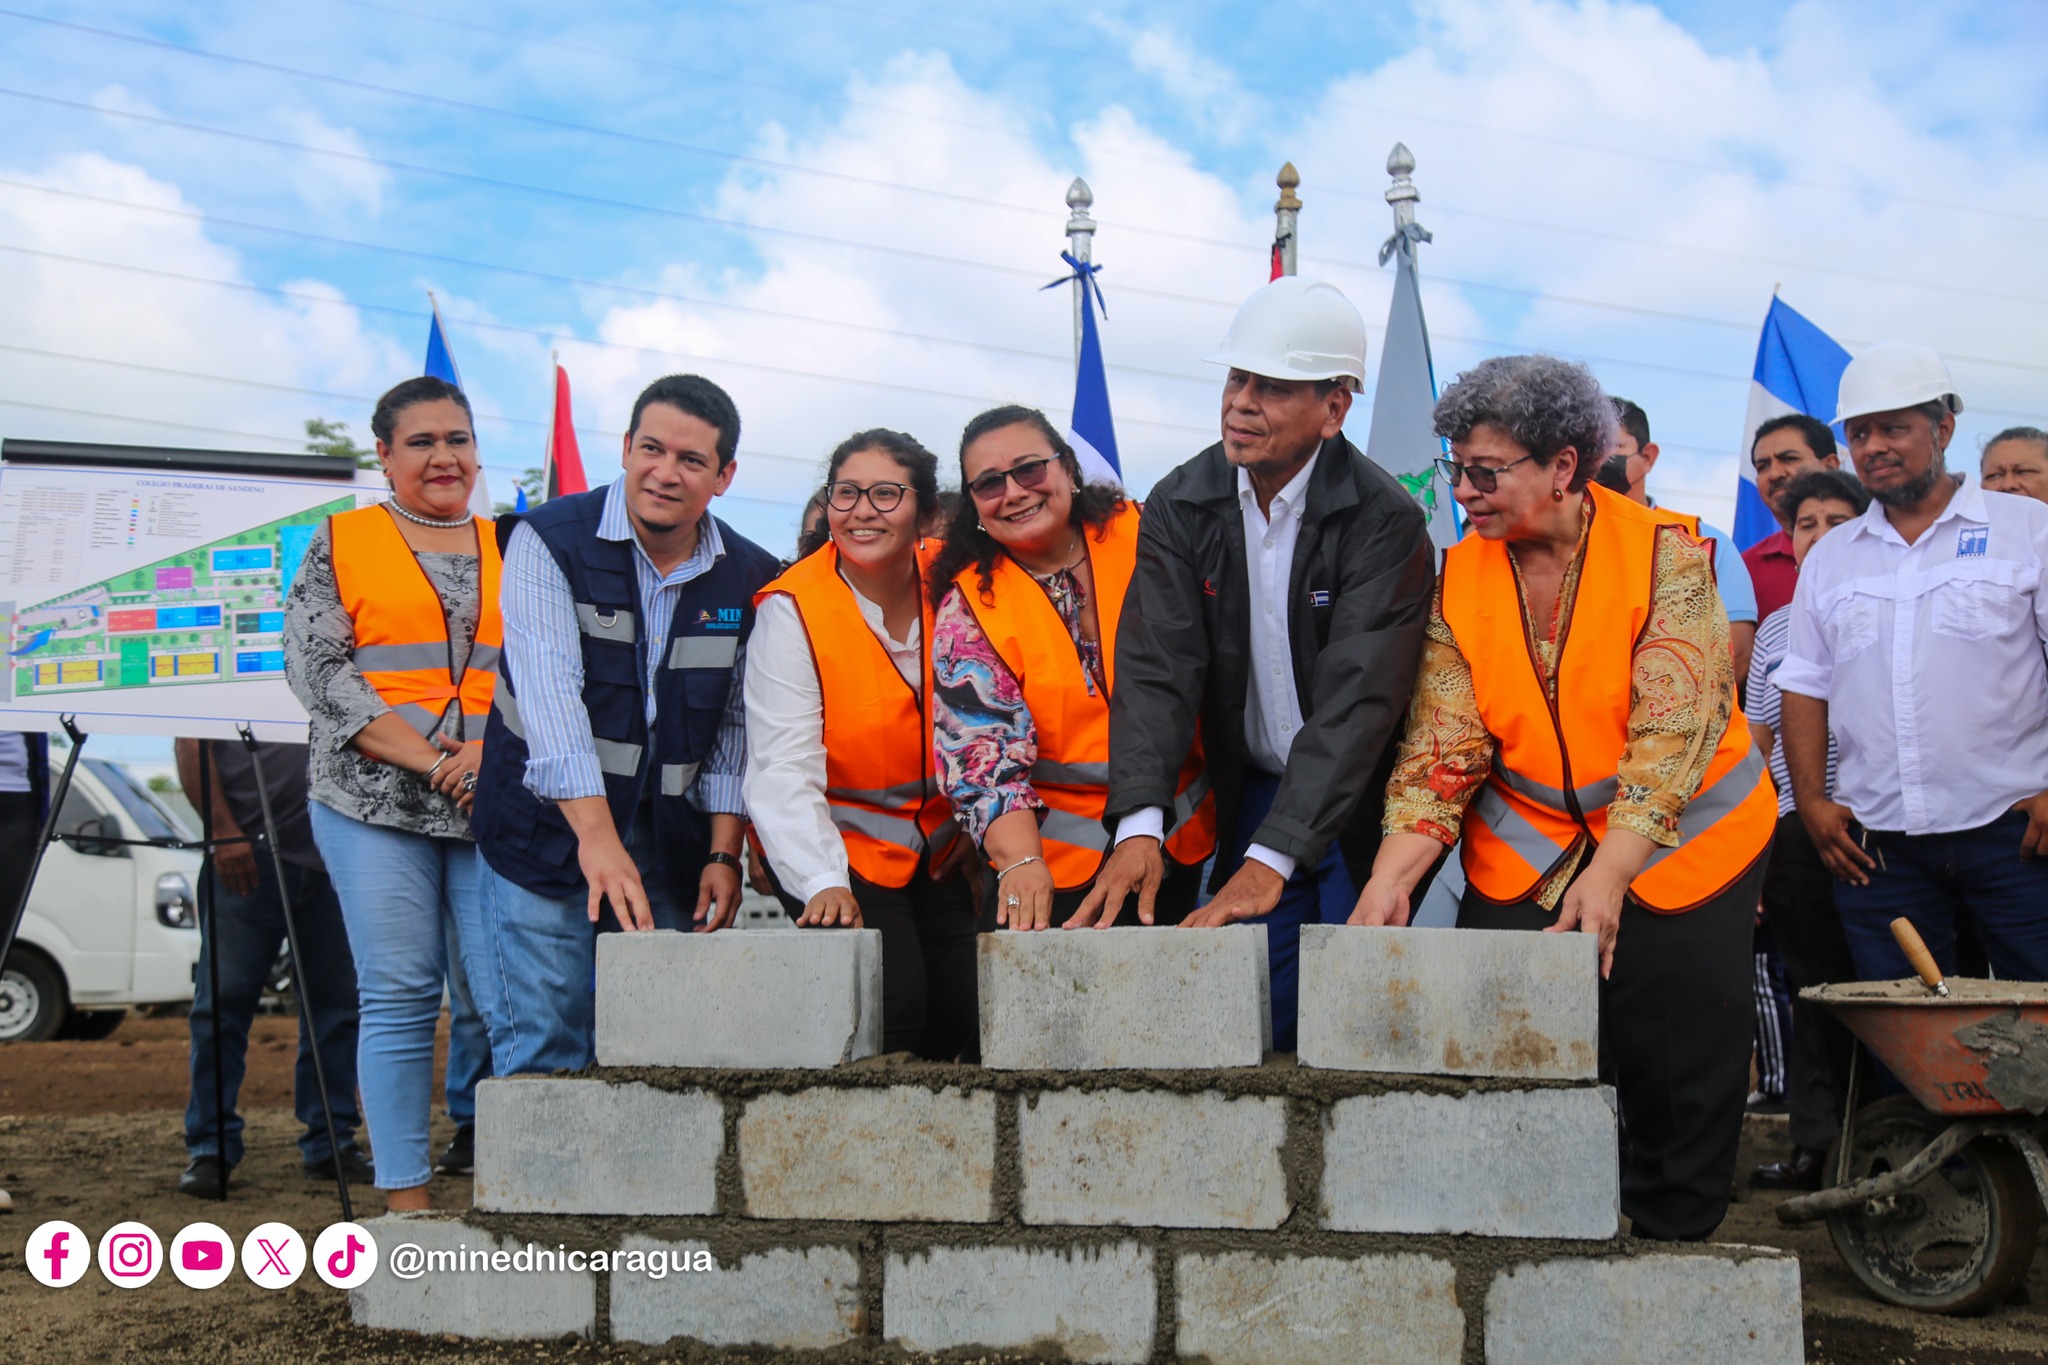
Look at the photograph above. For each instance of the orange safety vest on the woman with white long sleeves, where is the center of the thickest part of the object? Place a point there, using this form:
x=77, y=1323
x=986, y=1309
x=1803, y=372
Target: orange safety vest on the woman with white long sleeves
x=880, y=775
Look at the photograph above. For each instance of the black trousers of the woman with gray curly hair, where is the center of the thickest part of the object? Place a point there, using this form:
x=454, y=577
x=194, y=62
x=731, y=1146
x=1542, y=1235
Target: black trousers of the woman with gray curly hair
x=1676, y=1030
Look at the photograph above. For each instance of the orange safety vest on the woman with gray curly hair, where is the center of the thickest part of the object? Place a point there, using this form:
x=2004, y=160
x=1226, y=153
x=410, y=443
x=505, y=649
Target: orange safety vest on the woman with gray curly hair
x=1555, y=766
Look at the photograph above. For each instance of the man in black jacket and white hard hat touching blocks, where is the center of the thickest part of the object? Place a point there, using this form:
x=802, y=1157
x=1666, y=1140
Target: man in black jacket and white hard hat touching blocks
x=1279, y=601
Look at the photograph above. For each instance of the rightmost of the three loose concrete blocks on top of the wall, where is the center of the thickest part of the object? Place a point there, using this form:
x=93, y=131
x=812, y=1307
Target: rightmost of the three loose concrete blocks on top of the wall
x=1451, y=1002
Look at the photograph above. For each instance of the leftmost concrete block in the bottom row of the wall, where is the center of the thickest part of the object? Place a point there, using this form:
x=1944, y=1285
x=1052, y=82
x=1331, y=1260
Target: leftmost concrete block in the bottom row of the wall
x=437, y=1274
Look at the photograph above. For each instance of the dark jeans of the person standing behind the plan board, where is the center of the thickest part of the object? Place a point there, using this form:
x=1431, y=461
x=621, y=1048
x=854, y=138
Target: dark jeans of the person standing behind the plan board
x=247, y=932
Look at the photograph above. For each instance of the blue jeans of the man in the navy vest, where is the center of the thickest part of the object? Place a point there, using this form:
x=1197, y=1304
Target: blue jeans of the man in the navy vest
x=540, y=973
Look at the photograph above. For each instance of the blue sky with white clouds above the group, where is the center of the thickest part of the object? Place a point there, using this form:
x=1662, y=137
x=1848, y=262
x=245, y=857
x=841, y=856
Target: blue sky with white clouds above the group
x=222, y=220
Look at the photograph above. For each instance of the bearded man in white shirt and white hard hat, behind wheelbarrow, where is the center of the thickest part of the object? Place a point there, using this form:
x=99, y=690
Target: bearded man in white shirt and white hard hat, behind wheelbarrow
x=1918, y=640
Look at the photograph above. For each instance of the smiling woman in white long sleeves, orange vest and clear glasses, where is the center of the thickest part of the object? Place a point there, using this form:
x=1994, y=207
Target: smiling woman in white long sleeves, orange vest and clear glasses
x=841, y=781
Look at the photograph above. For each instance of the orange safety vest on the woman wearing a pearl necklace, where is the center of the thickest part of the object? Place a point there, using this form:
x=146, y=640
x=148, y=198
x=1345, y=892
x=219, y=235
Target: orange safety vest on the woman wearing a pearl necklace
x=402, y=631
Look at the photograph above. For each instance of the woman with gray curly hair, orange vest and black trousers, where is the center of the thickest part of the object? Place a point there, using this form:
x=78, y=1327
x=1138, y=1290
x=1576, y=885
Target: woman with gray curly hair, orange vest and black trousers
x=1576, y=736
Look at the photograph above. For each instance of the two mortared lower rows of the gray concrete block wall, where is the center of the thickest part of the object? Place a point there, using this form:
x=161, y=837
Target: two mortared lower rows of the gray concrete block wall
x=1246, y=1215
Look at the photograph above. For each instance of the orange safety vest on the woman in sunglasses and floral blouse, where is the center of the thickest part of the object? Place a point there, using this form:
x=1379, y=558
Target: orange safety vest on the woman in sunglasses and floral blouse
x=1074, y=721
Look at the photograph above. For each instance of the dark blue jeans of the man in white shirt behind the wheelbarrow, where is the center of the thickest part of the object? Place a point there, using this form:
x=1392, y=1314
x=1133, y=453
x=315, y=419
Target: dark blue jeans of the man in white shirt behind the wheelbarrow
x=1932, y=877
